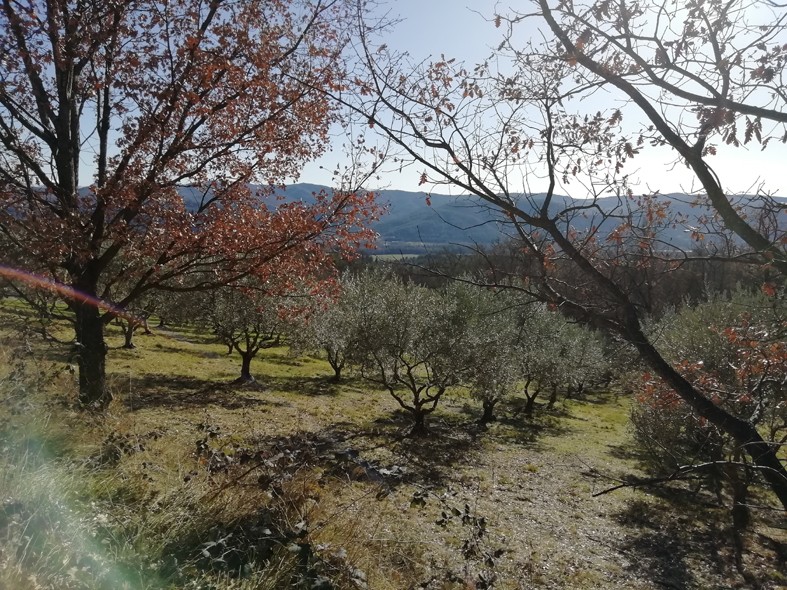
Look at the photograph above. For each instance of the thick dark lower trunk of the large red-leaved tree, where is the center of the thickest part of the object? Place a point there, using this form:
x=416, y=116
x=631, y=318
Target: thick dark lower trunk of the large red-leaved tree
x=92, y=355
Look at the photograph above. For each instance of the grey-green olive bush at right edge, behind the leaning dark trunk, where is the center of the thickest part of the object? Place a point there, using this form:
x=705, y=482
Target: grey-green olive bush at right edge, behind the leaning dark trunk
x=733, y=349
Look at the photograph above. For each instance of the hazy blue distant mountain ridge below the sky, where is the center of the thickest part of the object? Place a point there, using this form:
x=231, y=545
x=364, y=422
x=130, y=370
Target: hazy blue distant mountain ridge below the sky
x=416, y=224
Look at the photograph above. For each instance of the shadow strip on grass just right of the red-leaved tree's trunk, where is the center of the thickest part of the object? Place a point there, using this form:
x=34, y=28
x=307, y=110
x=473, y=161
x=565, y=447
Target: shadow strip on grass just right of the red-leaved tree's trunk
x=173, y=392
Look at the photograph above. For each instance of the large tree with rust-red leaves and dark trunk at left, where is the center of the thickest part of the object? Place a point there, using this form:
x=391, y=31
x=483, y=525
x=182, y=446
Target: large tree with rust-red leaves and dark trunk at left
x=151, y=97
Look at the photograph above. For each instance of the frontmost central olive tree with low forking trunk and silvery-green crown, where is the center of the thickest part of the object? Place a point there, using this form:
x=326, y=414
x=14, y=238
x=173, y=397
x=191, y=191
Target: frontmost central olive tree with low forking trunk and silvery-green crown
x=408, y=340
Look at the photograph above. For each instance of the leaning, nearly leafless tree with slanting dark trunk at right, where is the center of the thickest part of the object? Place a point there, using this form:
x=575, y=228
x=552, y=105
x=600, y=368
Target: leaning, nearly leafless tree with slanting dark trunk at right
x=512, y=132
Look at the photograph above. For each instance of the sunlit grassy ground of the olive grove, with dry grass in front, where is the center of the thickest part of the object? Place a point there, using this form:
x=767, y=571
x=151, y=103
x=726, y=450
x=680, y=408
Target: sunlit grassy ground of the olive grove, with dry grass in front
x=189, y=482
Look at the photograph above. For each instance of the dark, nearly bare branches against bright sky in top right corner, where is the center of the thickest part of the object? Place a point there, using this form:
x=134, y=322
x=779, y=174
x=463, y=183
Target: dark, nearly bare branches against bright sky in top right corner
x=723, y=62
